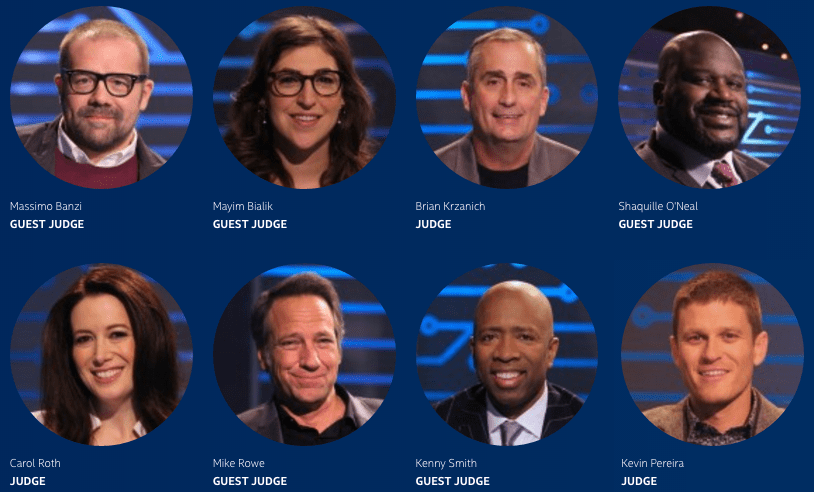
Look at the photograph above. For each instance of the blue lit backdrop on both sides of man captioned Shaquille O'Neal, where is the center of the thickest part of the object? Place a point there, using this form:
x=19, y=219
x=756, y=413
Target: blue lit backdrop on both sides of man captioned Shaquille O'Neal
x=772, y=89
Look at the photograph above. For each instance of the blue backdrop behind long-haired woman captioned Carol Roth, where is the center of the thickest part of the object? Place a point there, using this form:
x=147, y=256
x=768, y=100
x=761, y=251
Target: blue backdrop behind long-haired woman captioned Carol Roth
x=26, y=340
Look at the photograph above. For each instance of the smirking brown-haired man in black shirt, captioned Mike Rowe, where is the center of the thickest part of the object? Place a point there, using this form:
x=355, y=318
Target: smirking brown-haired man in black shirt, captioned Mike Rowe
x=297, y=327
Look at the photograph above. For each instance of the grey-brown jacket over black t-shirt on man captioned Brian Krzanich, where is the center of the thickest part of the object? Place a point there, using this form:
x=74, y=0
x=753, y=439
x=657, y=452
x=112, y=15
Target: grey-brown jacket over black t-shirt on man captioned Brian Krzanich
x=547, y=158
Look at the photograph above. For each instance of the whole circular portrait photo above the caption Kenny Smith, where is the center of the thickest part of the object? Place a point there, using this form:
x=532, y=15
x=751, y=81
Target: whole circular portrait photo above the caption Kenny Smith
x=506, y=354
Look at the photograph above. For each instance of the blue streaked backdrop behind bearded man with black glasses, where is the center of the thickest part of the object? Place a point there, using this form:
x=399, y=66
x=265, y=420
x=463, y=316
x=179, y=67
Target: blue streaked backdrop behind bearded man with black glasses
x=34, y=97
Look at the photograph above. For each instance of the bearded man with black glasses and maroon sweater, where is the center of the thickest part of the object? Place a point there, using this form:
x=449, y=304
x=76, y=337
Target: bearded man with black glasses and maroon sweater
x=103, y=87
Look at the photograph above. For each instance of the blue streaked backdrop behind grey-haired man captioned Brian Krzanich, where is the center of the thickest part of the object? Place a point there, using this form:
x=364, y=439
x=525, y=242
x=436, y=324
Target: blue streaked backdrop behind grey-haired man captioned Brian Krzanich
x=571, y=81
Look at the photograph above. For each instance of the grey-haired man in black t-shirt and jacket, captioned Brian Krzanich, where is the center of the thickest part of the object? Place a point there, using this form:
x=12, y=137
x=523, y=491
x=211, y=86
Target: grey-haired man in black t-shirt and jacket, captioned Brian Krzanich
x=505, y=93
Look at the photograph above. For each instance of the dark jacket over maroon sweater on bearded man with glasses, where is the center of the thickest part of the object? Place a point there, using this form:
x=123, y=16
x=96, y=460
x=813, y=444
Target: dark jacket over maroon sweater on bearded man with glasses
x=41, y=142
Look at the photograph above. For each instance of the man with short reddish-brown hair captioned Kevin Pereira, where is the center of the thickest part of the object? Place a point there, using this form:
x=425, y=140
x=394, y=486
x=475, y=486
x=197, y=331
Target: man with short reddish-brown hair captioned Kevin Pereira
x=718, y=340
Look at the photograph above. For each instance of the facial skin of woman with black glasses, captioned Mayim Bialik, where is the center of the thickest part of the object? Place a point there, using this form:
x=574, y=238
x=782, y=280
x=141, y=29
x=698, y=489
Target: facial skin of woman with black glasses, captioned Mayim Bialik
x=303, y=123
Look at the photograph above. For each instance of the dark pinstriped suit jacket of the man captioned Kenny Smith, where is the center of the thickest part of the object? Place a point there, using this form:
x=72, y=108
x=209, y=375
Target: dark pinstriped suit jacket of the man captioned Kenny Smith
x=466, y=411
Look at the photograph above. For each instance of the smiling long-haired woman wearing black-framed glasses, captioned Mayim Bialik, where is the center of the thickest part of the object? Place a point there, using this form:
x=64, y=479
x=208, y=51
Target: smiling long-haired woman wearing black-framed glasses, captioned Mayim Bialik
x=300, y=118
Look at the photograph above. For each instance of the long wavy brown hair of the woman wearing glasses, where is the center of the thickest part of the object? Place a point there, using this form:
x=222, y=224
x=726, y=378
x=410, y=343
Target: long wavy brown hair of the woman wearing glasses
x=252, y=142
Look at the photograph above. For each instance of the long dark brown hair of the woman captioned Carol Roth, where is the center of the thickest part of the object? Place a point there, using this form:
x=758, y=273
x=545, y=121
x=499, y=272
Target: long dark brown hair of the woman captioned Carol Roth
x=66, y=401
